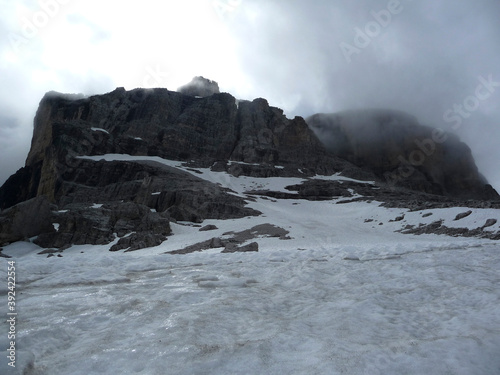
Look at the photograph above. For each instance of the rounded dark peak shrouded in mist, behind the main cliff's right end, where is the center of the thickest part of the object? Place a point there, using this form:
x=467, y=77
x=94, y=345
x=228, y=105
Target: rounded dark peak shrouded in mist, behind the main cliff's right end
x=400, y=151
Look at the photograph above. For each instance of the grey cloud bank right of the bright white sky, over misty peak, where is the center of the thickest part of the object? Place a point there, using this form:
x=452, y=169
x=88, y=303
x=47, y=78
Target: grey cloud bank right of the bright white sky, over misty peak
x=426, y=58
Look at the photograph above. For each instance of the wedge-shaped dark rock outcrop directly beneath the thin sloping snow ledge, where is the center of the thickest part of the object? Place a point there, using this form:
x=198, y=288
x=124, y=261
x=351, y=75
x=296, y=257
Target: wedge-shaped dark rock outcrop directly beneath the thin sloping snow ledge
x=162, y=188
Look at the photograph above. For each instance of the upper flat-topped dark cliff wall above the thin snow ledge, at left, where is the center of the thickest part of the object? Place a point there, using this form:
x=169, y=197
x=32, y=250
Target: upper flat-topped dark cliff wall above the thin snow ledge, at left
x=206, y=131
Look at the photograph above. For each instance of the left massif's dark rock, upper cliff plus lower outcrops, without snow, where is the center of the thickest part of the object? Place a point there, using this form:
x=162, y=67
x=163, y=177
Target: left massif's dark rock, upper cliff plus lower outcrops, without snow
x=252, y=138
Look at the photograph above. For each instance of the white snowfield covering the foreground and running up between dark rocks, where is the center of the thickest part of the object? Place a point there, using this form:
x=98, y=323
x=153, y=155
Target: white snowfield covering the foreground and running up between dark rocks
x=342, y=296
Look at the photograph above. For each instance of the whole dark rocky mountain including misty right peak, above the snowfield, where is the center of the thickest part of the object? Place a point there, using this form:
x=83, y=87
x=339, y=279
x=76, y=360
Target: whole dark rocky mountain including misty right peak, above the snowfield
x=120, y=167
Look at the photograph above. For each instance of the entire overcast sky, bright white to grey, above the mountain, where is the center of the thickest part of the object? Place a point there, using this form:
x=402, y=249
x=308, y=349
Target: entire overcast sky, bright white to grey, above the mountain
x=305, y=56
